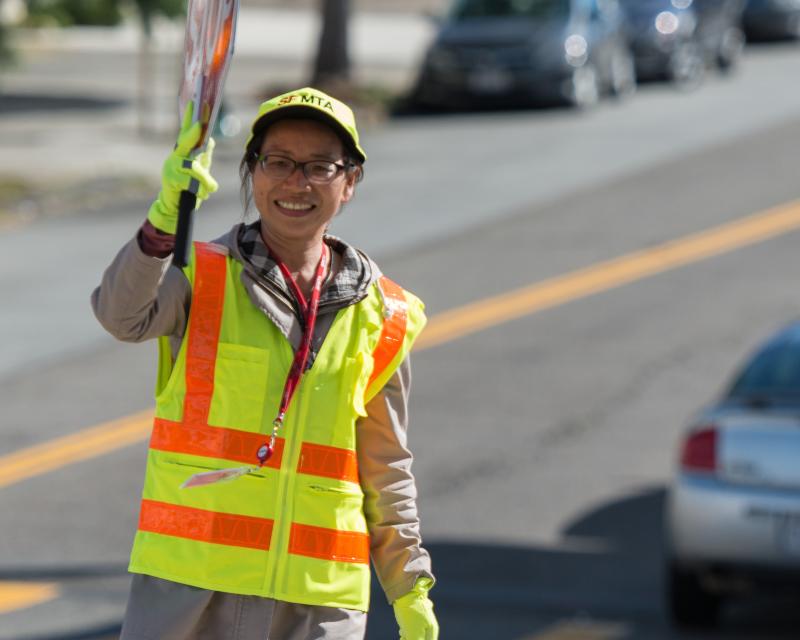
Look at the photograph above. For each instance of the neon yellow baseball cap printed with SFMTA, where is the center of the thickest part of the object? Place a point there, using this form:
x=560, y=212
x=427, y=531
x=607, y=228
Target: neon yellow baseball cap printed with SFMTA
x=314, y=104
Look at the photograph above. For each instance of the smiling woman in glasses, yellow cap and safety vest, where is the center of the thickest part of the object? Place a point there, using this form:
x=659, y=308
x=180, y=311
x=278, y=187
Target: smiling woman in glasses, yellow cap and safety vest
x=286, y=350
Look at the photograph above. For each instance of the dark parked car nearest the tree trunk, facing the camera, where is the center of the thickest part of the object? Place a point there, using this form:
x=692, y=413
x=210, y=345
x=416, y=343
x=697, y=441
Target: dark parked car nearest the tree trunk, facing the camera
x=520, y=52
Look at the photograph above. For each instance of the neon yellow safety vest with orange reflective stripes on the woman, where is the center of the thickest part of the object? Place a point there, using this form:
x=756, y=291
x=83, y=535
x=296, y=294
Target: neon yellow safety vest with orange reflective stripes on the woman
x=295, y=530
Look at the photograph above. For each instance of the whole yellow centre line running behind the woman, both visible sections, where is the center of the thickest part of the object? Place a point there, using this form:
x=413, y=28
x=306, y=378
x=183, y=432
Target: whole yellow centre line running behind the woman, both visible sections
x=452, y=325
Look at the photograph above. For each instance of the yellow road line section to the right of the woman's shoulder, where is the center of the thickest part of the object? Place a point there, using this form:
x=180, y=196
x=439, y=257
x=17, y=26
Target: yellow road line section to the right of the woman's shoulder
x=482, y=314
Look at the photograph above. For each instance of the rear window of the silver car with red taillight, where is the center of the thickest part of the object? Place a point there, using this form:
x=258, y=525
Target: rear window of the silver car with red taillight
x=773, y=372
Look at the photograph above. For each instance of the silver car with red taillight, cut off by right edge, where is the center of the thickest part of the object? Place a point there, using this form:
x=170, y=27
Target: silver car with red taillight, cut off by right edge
x=733, y=511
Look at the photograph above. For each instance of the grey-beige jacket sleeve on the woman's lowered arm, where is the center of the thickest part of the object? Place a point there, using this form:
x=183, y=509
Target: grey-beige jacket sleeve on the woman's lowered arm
x=384, y=463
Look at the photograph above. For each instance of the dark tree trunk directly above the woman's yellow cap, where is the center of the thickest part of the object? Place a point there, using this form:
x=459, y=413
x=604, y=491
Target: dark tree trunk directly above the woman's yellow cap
x=332, y=63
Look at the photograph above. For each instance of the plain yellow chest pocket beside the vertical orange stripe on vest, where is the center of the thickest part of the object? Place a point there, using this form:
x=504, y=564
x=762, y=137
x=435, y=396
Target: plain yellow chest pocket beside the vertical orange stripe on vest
x=240, y=386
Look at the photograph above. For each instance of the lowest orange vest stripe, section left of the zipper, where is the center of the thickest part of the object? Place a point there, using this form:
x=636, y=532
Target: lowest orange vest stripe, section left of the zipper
x=205, y=526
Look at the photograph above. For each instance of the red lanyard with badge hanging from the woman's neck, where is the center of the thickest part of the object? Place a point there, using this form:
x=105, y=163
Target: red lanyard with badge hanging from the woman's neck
x=309, y=309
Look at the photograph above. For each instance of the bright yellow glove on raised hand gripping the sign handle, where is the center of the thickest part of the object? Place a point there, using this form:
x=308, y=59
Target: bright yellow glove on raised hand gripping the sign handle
x=178, y=173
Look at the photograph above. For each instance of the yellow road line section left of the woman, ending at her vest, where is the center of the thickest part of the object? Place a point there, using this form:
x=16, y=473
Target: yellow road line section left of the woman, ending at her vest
x=61, y=452
